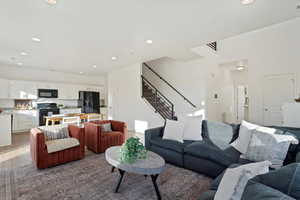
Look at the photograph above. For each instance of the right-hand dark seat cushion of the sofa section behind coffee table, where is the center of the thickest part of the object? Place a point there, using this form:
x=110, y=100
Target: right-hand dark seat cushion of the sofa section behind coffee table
x=205, y=150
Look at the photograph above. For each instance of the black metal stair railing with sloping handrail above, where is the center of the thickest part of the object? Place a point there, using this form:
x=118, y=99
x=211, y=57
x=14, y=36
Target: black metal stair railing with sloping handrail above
x=162, y=105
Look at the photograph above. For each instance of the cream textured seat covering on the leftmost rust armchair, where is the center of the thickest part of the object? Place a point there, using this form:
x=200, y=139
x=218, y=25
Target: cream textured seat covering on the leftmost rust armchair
x=61, y=144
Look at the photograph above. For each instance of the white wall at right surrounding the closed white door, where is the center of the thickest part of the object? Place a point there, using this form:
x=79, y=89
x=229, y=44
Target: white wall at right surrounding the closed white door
x=269, y=51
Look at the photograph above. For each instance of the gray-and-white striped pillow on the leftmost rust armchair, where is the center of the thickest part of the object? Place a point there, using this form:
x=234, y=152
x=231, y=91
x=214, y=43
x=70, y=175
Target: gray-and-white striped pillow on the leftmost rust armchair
x=55, y=132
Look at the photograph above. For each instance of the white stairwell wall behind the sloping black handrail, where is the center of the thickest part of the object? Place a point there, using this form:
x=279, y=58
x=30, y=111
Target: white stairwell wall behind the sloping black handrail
x=192, y=78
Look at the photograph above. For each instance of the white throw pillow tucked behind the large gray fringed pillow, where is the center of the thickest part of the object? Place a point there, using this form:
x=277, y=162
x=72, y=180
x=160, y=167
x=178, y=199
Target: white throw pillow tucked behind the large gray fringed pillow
x=242, y=142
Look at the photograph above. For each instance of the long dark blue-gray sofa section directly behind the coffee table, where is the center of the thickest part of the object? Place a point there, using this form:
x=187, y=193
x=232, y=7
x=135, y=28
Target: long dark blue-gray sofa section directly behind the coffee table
x=201, y=156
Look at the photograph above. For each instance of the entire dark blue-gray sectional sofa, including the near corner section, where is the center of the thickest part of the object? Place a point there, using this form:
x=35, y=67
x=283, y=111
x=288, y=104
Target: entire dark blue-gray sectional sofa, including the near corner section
x=213, y=155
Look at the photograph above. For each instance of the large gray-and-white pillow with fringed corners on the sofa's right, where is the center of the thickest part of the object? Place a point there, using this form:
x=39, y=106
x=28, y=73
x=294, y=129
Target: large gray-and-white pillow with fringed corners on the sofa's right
x=266, y=145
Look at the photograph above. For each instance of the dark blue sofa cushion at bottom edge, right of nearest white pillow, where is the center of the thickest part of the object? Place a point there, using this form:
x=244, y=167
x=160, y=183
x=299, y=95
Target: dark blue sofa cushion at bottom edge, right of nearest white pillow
x=258, y=191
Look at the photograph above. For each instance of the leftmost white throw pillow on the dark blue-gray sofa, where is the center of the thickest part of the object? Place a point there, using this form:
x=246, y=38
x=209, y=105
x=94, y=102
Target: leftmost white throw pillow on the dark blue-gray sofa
x=173, y=130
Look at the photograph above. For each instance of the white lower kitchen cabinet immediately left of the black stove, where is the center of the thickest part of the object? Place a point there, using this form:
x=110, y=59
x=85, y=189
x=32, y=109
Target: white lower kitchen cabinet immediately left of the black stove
x=24, y=120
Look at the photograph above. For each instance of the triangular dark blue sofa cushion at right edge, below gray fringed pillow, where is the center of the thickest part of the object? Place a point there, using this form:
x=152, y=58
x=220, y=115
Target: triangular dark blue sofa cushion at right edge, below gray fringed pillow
x=285, y=179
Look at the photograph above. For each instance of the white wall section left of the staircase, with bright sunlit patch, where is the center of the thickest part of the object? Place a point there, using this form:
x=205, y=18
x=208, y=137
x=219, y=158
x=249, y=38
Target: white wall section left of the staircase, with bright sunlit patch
x=125, y=102
